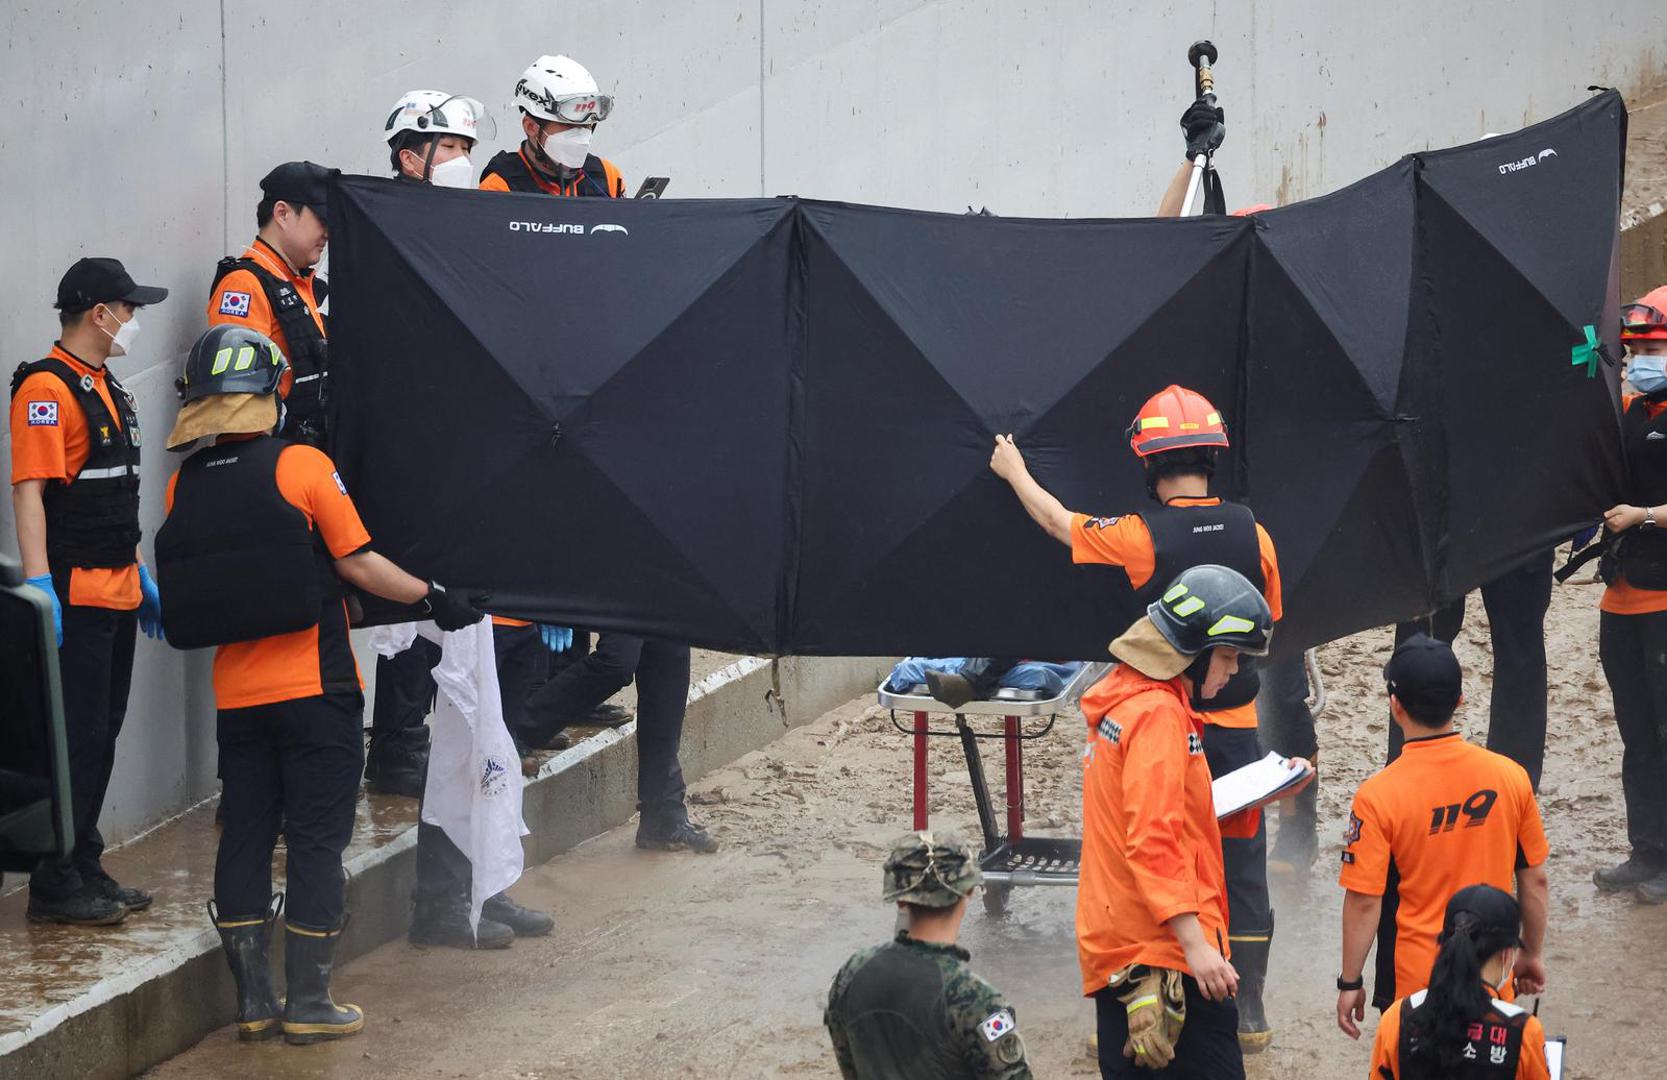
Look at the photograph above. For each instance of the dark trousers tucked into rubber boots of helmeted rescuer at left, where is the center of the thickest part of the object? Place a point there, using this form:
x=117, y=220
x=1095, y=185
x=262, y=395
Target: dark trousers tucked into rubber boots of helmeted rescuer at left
x=294, y=762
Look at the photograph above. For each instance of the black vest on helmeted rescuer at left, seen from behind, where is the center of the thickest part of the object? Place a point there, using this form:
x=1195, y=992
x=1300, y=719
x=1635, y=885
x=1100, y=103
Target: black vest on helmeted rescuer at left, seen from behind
x=236, y=559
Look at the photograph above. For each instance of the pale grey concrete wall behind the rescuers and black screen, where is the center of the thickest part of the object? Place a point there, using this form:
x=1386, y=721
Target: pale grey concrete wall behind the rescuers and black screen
x=141, y=131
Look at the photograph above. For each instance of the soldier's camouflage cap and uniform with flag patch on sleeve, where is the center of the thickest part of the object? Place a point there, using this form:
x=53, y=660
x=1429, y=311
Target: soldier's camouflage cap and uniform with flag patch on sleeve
x=914, y=1009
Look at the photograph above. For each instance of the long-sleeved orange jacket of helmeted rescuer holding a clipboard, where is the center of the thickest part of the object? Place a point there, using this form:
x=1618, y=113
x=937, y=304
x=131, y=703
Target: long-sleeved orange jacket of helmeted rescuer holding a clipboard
x=1151, y=847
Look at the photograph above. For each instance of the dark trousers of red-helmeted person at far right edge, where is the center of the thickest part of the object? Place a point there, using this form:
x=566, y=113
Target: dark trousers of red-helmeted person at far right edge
x=1634, y=654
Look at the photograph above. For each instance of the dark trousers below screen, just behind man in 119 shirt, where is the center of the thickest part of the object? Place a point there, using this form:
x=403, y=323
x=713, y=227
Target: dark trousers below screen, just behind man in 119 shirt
x=1516, y=617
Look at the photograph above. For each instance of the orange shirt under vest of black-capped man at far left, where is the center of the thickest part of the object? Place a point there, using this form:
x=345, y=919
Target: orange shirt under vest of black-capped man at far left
x=56, y=452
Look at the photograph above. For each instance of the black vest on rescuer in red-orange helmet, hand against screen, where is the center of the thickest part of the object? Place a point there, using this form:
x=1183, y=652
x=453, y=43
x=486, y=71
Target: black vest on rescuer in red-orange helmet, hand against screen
x=1184, y=537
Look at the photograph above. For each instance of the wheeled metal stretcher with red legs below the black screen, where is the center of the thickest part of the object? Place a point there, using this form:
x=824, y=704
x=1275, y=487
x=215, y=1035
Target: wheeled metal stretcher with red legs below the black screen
x=1011, y=859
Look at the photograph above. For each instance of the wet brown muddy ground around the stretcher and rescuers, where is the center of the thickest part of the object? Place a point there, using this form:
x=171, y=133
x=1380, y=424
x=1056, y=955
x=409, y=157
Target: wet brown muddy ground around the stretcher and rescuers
x=719, y=966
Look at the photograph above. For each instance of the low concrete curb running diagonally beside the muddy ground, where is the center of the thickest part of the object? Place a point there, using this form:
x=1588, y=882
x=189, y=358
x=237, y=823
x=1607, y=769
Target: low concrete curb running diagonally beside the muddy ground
x=168, y=1004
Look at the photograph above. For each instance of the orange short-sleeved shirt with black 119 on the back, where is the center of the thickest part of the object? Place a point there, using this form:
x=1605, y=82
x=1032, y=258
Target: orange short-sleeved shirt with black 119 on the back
x=1446, y=814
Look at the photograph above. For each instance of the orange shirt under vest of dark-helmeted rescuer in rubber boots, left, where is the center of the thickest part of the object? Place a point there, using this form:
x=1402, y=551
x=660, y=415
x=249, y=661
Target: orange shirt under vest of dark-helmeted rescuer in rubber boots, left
x=288, y=666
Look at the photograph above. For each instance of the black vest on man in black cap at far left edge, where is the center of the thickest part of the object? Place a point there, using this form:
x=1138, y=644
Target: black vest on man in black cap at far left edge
x=94, y=519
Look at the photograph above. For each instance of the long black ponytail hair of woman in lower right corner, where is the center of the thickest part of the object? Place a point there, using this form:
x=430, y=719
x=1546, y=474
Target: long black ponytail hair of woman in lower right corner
x=1456, y=997
